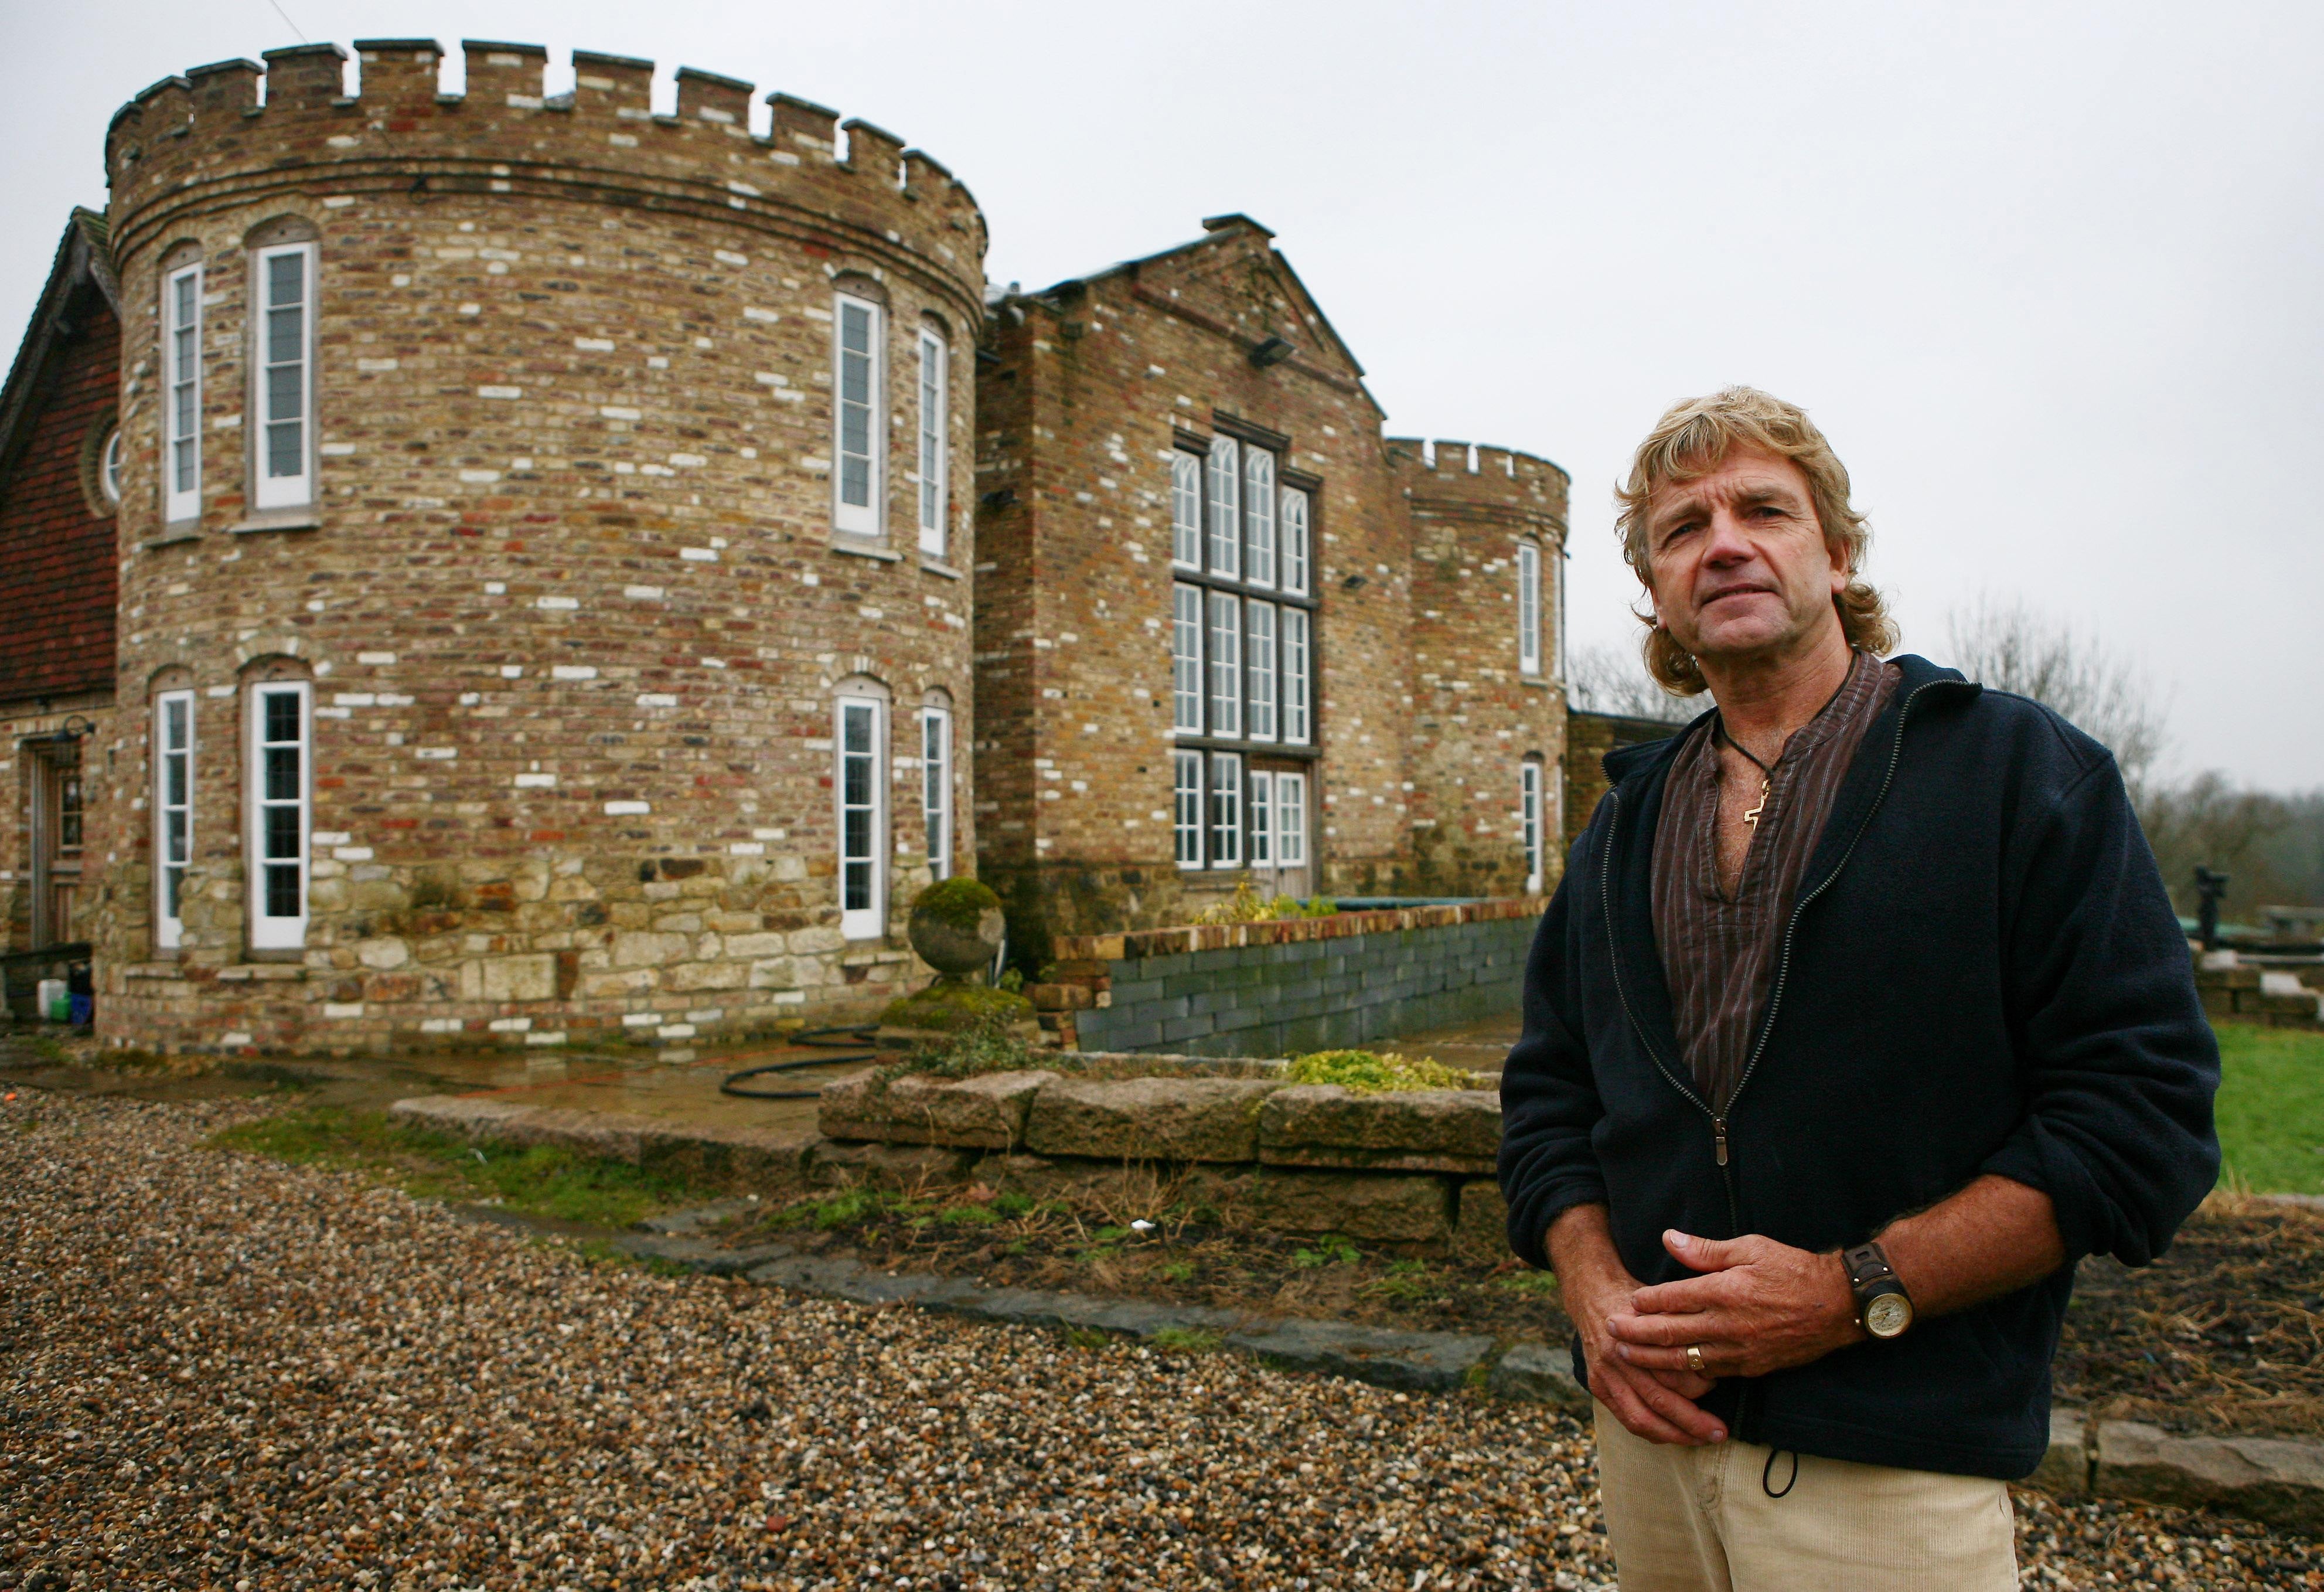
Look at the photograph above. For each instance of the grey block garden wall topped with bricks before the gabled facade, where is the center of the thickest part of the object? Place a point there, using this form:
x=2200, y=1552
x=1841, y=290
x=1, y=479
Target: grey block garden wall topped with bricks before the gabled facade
x=1284, y=989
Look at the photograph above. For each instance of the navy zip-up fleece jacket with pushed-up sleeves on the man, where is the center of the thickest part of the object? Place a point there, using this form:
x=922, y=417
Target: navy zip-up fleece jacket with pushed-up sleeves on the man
x=1981, y=975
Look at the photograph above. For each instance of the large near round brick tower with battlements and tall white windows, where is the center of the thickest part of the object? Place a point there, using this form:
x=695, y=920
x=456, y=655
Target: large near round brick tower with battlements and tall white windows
x=545, y=540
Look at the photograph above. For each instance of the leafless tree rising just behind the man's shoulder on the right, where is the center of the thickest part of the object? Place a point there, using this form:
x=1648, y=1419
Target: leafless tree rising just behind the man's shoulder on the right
x=2016, y=650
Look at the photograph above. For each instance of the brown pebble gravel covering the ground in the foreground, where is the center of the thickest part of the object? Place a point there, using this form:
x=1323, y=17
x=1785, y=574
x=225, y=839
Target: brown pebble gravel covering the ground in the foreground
x=222, y=1372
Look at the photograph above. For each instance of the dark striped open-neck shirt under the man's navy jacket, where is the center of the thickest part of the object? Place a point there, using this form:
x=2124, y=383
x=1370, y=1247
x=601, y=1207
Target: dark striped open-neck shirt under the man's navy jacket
x=1719, y=954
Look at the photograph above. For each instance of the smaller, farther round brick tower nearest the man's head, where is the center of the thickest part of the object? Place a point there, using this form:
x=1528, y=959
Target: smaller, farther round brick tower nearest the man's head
x=1489, y=666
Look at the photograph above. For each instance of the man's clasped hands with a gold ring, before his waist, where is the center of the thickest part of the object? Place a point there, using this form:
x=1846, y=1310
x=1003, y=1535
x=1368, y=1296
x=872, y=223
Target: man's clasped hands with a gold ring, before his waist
x=1758, y=1307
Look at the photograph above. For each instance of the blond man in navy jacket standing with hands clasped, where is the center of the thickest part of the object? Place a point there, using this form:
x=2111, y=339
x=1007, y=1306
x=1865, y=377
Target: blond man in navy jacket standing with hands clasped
x=1858, y=1019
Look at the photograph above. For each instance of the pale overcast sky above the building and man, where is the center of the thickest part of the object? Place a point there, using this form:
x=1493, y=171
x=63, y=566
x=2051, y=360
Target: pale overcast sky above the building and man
x=2046, y=275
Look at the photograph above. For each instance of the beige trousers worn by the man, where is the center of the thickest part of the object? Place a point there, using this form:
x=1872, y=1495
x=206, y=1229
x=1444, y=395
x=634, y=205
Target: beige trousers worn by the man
x=1702, y=1521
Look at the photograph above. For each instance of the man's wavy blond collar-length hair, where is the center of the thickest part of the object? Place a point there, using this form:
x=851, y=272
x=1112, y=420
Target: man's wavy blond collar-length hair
x=1688, y=443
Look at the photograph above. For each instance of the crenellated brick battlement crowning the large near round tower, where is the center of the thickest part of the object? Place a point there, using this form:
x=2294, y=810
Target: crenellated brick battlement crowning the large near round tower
x=243, y=127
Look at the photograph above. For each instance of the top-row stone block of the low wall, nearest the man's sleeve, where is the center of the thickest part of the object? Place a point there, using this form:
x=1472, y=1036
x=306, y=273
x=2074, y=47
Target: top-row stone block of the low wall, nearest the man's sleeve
x=1412, y=1131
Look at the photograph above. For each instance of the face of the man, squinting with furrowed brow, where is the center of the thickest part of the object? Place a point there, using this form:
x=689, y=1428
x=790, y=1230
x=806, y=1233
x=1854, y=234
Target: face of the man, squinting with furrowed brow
x=1742, y=566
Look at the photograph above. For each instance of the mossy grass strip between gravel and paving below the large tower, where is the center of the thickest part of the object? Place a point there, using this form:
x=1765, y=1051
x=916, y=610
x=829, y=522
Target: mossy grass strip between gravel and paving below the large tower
x=536, y=1179
